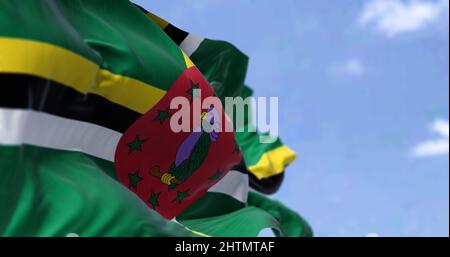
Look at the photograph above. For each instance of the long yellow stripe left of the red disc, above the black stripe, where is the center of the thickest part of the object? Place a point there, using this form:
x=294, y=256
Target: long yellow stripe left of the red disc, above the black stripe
x=58, y=64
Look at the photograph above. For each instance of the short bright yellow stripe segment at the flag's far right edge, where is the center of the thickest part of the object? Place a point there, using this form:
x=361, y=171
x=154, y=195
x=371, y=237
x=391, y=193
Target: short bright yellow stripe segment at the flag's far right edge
x=273, y=162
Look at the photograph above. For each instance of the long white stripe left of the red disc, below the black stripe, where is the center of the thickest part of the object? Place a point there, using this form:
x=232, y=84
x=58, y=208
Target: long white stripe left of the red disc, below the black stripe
x=46, y=130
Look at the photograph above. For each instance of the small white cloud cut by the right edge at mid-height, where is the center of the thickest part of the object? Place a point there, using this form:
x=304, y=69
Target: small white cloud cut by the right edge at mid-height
x=435, y=147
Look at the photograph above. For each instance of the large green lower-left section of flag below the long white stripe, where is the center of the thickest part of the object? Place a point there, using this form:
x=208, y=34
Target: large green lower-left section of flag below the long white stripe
x=47, y=192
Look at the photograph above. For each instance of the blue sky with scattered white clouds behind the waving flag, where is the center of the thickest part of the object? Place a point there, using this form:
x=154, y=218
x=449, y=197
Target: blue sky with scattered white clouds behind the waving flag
x=364, y=98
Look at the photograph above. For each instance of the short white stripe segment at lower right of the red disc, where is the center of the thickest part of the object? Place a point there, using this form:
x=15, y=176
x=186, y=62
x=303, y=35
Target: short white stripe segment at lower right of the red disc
x=234, y=184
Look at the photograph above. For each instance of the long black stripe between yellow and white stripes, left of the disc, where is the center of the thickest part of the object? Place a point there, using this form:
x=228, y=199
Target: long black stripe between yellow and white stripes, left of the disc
x=28, y=92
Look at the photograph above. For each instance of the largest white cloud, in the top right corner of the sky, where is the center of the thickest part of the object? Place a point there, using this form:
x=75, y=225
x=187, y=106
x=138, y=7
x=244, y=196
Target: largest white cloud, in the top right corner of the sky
x=393, y=17
